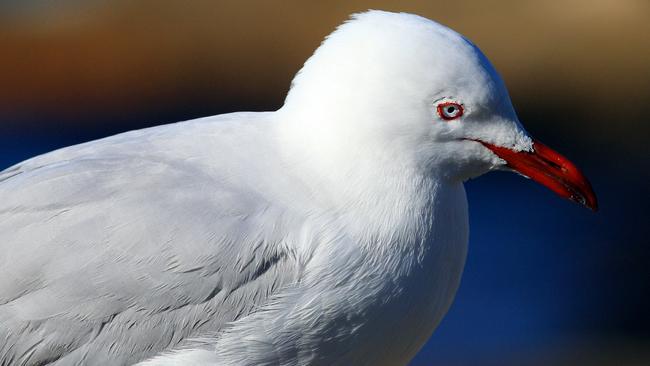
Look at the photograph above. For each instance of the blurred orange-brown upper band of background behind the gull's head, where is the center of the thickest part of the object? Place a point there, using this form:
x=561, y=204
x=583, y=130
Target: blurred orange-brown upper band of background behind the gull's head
x=71, y=60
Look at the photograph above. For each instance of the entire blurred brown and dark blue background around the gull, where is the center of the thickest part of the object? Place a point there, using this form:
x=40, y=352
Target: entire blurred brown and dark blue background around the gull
x=546, y=282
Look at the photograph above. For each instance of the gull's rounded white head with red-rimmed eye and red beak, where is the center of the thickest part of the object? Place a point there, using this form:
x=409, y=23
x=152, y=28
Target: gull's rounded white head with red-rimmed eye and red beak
x=409, y=88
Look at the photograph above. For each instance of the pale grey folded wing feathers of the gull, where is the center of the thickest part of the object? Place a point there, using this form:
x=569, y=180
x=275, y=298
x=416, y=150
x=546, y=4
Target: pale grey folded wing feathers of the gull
x=116, y=250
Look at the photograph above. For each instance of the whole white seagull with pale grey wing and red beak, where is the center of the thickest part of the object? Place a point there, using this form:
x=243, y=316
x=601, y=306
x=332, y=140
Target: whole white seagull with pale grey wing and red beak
x=332, y=231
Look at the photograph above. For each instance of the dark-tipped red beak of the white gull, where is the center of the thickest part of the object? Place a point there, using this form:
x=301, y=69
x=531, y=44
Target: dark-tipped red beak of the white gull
x=547, y=167
